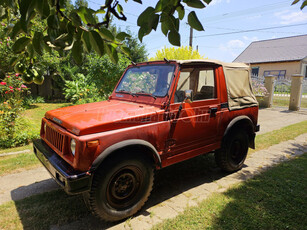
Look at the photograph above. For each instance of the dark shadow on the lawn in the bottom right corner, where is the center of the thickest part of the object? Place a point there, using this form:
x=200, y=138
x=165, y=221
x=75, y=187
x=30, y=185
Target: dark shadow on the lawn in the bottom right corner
x=275, y=199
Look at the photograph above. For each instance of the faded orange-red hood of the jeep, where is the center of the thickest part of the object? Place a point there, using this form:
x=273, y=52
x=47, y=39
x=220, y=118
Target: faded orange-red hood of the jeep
x=101, y=116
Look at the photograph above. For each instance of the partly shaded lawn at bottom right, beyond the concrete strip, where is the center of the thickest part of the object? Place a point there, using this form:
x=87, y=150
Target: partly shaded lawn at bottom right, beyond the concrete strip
x=276, y=199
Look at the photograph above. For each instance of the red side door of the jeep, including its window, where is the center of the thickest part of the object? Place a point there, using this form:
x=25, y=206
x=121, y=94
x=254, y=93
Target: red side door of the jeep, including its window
x=196, y=127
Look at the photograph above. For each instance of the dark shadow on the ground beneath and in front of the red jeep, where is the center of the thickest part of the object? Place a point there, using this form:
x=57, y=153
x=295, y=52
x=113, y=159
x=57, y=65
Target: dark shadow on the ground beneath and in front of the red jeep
x=57, y=210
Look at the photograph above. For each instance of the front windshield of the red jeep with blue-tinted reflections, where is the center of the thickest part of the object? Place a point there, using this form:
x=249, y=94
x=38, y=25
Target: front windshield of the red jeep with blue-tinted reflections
x=154, y=80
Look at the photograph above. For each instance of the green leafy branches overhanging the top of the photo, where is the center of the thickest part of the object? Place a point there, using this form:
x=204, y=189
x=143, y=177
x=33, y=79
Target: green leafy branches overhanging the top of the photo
x=79, y=29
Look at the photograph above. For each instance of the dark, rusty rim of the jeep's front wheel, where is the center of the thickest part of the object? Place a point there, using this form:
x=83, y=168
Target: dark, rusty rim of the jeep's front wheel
x=124, y=187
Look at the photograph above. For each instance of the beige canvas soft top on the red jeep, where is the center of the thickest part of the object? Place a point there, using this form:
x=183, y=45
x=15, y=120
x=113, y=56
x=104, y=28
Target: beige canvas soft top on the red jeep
x=238, y=82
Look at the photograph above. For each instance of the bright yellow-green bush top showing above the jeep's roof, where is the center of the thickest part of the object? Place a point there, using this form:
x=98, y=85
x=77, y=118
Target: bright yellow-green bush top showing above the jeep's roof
x=180, y=53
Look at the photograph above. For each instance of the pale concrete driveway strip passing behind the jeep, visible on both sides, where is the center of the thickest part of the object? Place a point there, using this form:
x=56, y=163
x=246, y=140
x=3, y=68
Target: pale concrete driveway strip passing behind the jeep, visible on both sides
x=20, y=185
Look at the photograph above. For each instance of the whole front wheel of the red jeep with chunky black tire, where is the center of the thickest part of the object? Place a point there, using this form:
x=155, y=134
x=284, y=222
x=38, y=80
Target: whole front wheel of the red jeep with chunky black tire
x=120, y=188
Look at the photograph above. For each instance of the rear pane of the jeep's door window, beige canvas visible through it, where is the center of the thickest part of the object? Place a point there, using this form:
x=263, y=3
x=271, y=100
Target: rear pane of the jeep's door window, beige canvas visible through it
x=206, y=85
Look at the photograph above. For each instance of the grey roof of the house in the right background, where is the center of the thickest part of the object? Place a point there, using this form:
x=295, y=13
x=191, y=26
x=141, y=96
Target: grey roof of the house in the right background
x=275, y=50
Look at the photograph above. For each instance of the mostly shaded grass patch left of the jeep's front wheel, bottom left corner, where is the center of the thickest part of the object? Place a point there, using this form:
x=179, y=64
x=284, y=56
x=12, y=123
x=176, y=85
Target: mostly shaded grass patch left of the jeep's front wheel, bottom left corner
x=42, y=211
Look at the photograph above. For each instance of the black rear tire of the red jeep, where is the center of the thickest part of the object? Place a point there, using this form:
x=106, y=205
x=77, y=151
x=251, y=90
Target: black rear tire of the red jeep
x=231, y=156
